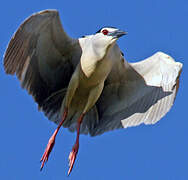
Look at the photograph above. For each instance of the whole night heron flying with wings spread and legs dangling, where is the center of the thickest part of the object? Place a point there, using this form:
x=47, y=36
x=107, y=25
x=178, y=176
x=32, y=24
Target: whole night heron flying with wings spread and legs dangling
x=85, y=84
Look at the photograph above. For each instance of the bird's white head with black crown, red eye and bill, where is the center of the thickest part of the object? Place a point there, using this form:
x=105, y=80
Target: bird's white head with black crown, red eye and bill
x=105, y=37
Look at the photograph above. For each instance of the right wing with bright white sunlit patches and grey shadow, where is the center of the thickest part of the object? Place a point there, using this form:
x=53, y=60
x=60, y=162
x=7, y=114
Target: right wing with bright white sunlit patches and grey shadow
x=137, y=93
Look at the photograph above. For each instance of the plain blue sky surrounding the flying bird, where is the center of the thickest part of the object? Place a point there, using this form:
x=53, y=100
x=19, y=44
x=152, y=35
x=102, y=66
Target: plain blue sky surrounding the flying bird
x=155, y=152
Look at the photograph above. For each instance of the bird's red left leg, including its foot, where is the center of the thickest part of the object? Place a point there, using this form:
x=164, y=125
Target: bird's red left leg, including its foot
x=51, y=141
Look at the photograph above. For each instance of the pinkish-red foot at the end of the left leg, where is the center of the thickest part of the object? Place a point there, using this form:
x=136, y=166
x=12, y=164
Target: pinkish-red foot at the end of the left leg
x=47, y=151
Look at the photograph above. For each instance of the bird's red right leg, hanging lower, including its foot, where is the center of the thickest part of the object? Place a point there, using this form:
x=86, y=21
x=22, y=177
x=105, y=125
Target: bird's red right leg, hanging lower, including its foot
x=73, y=153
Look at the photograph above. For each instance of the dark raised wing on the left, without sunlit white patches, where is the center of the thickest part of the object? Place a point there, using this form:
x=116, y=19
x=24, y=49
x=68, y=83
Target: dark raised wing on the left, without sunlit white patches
x=42, y=56
